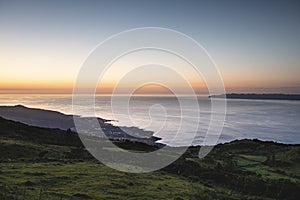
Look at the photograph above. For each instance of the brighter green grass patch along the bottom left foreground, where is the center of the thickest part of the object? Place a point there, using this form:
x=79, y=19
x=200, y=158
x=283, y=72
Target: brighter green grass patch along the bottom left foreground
x=97, y=181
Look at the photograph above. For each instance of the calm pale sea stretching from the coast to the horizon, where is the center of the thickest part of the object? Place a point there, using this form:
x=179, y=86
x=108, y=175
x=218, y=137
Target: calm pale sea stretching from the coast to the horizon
x=274, y=120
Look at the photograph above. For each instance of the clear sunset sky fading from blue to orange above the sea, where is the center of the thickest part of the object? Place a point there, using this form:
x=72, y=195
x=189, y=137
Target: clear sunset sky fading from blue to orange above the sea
x=255, y=44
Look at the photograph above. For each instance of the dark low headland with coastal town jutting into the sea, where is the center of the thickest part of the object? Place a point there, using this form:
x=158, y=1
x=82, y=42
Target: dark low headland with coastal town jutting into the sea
x=56, y=120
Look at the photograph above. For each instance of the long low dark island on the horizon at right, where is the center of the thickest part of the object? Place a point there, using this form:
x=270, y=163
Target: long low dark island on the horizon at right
x=258, y=96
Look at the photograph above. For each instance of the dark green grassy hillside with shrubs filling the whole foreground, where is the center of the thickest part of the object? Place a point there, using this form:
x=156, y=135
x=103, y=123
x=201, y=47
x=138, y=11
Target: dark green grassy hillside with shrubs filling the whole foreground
x=42, y=163
